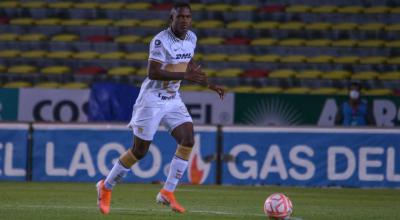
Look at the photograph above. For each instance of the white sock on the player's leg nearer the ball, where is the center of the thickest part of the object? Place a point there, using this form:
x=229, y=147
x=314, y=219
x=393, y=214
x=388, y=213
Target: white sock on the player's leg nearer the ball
x=176, y=171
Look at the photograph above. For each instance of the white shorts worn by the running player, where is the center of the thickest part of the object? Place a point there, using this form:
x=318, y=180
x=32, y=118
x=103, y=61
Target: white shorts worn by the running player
x=146, y=118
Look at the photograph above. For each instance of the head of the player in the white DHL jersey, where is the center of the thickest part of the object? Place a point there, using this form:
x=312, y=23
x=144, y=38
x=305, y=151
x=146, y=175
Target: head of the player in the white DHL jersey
x=181, y=18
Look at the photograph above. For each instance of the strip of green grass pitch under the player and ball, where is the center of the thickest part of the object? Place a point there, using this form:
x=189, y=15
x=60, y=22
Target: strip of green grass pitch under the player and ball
x=137, y=201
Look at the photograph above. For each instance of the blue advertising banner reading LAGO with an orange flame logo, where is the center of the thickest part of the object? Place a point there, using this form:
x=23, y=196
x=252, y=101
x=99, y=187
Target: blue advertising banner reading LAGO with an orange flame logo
x=87, y=153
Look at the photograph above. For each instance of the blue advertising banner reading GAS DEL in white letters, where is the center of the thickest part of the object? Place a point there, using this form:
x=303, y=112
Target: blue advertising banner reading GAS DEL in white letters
x=312, y=157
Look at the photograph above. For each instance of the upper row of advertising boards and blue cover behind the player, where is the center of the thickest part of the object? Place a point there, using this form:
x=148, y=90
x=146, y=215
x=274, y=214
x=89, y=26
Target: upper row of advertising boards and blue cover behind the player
x=109, y=102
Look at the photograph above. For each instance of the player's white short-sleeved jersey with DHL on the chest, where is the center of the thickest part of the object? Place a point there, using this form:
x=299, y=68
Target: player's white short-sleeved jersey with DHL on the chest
x=174, y=54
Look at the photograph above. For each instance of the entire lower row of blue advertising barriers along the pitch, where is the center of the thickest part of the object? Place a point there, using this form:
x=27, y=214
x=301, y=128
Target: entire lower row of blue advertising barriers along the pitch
x=348, y=157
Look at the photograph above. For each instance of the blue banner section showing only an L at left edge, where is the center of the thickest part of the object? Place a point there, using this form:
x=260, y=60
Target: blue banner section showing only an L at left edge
x=13, y=151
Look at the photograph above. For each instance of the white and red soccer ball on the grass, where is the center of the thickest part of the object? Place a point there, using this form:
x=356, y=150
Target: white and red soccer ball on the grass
x=278, y=206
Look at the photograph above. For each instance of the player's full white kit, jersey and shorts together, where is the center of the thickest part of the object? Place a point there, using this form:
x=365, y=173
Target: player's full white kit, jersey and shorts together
x=159, y=101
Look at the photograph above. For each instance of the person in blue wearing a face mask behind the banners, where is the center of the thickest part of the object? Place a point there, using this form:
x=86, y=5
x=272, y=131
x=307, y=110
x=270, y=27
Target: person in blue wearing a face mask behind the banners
x=355, y=111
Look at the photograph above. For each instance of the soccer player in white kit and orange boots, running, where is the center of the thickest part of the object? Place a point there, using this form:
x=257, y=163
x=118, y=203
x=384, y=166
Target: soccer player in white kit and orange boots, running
x=170, y=62
